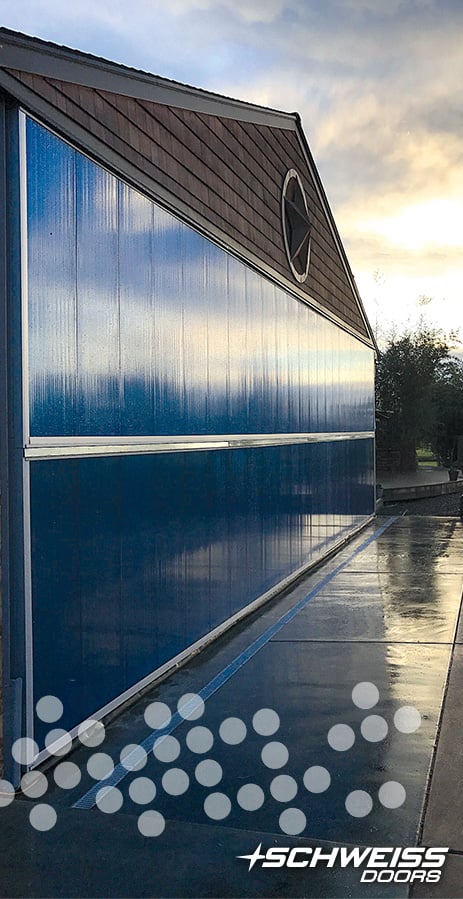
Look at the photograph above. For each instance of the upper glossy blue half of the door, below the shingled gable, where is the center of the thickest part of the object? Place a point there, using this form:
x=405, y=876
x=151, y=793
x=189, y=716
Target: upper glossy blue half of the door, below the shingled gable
x=141, y=326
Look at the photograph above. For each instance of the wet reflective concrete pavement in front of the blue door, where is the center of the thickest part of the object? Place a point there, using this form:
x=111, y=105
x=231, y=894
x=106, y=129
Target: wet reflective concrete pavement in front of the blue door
x=313, y=723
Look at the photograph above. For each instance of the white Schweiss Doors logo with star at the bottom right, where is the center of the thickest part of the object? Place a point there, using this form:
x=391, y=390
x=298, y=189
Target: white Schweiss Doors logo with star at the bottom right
x=383, y=864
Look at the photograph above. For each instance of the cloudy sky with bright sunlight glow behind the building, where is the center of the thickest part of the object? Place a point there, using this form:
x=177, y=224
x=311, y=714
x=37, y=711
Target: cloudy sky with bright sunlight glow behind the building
x=379, y=87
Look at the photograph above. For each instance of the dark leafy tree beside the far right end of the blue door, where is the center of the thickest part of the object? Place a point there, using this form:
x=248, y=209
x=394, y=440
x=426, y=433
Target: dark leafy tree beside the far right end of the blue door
x=407, y=373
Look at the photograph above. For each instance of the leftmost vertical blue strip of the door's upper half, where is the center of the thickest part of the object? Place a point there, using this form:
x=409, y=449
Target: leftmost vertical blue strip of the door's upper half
x=52, y=270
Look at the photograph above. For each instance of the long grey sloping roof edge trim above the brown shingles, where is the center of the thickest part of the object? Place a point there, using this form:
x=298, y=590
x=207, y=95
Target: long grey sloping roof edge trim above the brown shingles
x=36, y=56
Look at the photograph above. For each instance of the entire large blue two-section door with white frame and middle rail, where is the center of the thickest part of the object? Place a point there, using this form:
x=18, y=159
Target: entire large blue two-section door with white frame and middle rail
x=192, y=435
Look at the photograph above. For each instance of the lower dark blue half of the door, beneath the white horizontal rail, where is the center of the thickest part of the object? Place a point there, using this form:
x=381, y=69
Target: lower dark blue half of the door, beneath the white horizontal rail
x=135, y=558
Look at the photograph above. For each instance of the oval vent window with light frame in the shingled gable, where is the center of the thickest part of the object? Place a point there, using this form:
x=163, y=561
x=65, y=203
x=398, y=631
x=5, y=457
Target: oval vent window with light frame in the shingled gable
x=296, y=225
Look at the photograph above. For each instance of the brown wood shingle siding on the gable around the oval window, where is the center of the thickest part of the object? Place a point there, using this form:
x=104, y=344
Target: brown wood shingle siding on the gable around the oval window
x=236, y=184
